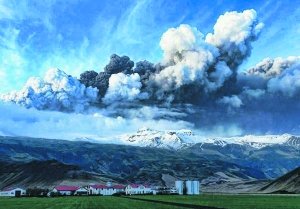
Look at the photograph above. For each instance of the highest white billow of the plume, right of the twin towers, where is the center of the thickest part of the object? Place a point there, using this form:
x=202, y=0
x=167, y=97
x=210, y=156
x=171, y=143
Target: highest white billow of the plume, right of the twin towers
x=233, y=34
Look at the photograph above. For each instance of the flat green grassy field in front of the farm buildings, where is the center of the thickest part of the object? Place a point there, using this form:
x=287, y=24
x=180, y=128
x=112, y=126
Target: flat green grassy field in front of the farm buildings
x=163, y=202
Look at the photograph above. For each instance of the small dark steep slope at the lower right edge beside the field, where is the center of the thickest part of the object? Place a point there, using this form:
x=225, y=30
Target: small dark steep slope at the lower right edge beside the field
x=289, y=182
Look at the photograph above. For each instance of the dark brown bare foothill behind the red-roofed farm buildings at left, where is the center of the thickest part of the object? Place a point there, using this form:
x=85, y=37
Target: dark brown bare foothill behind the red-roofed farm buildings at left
x=41, y=174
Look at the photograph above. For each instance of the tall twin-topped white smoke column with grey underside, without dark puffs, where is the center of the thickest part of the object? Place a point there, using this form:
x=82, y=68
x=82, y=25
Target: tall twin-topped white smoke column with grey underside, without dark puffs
x=204, y=65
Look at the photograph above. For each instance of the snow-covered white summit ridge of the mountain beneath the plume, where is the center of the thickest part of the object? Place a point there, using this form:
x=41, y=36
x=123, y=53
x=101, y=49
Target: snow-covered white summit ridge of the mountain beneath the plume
x=179, y=139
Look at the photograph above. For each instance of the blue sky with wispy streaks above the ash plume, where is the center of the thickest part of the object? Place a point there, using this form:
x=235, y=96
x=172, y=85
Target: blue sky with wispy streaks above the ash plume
x=80, y=35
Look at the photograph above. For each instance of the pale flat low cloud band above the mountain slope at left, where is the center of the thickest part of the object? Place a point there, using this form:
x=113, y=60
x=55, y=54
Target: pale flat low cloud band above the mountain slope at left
x=18, y=121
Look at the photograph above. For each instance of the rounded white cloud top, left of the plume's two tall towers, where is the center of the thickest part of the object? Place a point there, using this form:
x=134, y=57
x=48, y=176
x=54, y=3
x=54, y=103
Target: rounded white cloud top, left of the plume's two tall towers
x=187, y=57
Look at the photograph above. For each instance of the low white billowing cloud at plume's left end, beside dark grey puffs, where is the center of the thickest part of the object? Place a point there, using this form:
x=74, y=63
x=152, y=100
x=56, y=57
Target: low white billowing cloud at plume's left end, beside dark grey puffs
x=57, y=91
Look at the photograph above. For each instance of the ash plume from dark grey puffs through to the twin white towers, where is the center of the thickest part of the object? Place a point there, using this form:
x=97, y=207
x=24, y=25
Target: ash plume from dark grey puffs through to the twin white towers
x=192, y=63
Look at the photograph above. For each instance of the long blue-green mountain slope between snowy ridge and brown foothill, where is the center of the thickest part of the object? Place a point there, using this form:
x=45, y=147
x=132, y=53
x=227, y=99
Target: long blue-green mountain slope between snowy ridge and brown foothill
x=122, y=163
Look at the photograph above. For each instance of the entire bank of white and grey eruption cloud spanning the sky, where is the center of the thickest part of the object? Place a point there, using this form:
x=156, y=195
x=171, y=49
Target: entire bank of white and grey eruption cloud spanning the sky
x=198, y=76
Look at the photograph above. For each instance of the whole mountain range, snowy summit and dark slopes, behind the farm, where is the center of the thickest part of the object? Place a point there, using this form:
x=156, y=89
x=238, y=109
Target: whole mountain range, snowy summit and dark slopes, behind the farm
x=155, y=157
